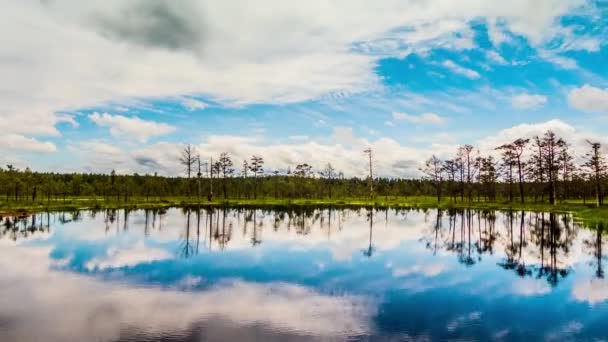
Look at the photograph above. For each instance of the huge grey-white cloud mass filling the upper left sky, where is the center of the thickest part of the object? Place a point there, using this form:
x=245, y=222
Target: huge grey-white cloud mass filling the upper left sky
x=83, y=53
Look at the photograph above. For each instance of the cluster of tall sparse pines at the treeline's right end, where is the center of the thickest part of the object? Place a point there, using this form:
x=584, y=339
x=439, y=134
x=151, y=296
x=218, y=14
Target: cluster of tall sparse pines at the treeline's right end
x=542, y=168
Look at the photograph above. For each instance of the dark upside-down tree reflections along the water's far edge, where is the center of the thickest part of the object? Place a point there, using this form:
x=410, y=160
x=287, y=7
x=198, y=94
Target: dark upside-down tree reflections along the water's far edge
x=536, y=245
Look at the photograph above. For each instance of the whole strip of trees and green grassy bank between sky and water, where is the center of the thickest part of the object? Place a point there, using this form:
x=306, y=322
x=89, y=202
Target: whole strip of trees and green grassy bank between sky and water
x=536, y=174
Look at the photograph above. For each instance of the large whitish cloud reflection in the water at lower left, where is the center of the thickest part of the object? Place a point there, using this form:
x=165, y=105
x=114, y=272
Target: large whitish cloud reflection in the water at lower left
x=98, y=310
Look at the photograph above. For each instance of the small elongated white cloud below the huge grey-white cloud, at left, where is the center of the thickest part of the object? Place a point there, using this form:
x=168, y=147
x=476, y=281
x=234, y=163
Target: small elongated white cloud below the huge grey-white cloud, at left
x=131, y=127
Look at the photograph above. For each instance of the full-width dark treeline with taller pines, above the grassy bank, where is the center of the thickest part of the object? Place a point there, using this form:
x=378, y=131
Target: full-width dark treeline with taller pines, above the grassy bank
x=541, y=169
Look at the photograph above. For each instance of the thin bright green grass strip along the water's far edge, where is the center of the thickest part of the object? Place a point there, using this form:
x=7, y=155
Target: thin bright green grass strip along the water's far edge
x=581, y=211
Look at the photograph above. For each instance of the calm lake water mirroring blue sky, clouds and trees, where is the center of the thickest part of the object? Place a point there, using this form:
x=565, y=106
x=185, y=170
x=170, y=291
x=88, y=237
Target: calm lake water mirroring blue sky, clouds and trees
x=245, y=275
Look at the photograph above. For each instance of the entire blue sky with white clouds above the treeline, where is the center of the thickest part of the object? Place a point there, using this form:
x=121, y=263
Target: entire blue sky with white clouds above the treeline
x=124, y=84
